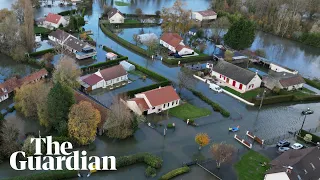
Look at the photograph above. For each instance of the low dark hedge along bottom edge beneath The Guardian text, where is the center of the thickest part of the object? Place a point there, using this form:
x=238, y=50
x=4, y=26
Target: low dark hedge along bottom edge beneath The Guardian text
x=48, y=175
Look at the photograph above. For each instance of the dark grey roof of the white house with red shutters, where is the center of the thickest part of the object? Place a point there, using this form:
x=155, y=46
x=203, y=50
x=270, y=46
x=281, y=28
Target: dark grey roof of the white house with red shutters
x=234, y=72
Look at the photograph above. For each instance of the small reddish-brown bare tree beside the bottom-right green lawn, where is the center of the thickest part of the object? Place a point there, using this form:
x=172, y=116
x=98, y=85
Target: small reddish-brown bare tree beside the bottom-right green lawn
x=222, y=153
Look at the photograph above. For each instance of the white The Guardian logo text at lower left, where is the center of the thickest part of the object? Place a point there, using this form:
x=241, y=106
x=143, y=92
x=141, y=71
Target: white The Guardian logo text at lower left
x=54, y=161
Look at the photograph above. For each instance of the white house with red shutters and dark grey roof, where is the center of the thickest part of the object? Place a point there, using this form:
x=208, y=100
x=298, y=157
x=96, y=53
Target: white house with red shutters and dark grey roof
x=239, y=79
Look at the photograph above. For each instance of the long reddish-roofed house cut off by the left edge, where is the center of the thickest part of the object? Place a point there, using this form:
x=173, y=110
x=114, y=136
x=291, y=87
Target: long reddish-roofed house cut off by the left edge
x=8, y=87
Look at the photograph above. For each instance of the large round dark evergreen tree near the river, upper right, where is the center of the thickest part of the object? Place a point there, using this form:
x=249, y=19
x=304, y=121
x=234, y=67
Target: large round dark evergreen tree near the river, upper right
x=240, y=35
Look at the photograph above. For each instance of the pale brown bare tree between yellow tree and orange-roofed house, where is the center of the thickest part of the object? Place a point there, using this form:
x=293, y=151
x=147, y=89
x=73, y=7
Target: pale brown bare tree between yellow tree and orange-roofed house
x=119, y=123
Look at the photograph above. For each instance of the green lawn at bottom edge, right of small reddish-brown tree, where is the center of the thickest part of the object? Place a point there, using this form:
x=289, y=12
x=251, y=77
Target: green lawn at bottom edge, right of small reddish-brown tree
x=250, y=166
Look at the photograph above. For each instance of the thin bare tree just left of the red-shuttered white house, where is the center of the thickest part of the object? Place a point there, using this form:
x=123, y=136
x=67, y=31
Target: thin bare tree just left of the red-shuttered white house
x=186, y=79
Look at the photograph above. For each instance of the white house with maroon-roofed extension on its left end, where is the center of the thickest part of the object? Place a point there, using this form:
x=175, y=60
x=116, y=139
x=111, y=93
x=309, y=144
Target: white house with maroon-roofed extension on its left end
x=104, y=78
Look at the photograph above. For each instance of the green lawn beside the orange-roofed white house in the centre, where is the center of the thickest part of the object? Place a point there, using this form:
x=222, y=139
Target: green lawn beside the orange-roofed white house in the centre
x=189, y=111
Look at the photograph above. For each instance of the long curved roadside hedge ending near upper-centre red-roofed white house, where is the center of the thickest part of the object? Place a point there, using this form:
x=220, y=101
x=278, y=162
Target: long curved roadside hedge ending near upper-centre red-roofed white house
x=123, y=42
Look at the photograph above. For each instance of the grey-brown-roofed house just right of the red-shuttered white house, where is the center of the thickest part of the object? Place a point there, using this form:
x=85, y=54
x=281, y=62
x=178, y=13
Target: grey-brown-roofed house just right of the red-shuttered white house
x=283, y=80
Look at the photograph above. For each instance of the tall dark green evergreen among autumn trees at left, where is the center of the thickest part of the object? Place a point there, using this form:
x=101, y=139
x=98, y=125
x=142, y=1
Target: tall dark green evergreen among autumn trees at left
x=60, y=100
